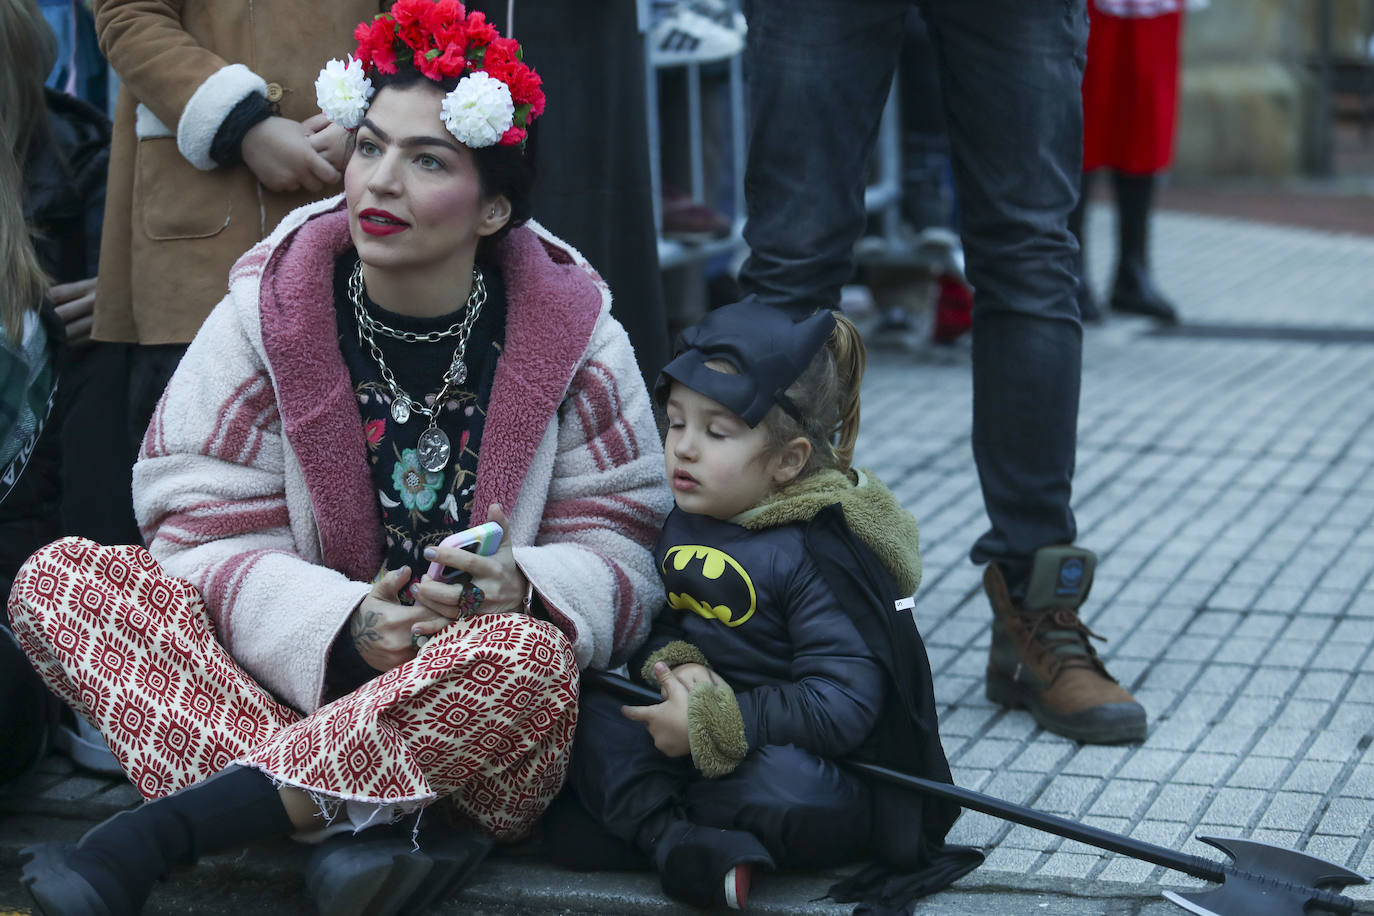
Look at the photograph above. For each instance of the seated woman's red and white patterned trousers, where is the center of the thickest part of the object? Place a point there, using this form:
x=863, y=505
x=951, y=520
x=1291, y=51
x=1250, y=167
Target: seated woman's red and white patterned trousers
x=484, y=715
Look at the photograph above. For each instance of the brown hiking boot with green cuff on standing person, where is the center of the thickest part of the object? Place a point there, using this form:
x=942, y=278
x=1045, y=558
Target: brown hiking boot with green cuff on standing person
x=1041, y=657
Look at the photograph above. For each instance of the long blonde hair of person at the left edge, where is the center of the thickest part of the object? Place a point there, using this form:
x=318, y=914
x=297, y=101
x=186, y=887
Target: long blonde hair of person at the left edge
x=28, y=51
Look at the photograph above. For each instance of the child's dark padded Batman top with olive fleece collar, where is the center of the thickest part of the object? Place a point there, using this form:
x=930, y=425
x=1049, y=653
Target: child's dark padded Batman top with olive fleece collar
x=752, y=598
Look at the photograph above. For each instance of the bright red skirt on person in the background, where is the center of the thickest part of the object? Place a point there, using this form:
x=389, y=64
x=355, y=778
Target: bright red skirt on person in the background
x=1131, y=93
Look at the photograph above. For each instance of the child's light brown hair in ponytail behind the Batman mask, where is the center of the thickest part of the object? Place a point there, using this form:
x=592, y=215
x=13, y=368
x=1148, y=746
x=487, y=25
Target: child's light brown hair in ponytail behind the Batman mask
x=828, y=396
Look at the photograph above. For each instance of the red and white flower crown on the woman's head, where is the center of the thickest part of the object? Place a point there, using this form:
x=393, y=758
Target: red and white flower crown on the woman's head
x=497, y=97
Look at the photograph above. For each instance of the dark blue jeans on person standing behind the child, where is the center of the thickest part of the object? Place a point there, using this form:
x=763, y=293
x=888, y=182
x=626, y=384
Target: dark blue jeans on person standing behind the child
x=1011, y=75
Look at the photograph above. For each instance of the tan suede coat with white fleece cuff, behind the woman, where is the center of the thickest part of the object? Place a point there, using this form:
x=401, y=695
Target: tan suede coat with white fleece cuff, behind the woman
x=175, y=222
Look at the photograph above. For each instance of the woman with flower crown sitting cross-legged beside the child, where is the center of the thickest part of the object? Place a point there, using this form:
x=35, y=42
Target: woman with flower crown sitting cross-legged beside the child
x=387, y=369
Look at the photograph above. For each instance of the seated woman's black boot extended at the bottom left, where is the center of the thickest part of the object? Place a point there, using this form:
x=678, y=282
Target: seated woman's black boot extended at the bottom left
x=112, y=871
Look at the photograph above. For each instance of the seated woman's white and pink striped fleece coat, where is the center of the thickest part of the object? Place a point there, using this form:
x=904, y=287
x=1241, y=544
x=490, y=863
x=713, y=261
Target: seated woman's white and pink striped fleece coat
x=254, y=480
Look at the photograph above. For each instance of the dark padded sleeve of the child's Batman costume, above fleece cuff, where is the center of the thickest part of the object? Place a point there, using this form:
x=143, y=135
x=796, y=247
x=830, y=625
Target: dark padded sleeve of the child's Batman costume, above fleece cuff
x=837, y=686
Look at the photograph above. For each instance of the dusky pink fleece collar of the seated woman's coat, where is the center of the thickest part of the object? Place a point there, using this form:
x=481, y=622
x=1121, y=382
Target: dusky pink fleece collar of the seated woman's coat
x=553, y=306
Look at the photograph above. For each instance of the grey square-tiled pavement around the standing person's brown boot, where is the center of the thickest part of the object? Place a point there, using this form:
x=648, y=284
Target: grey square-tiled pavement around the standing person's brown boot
x=1229, y=490
